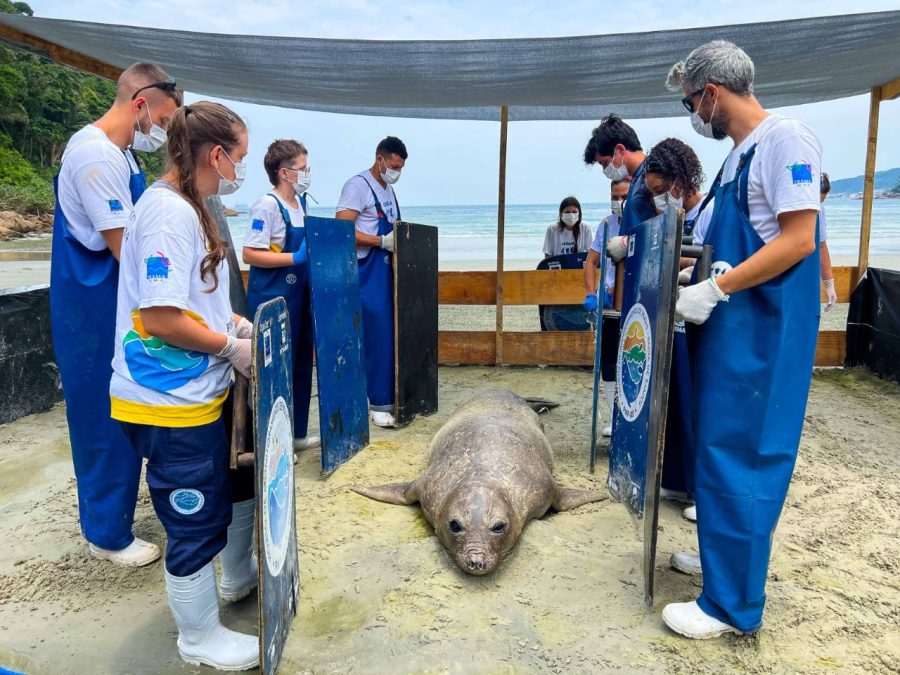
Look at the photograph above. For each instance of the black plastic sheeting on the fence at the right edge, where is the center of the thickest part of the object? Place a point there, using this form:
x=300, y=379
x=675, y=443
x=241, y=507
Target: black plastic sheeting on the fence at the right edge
x=873, y=324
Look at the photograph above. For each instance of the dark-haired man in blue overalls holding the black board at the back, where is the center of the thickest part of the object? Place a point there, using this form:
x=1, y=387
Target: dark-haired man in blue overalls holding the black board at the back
x=368, y=199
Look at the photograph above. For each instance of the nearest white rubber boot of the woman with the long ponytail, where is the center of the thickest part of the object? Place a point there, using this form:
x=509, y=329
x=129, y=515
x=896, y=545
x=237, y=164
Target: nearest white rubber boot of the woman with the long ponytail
x=201, y=638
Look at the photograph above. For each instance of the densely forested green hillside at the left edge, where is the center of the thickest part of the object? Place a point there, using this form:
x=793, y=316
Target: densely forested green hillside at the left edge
x=41, y=105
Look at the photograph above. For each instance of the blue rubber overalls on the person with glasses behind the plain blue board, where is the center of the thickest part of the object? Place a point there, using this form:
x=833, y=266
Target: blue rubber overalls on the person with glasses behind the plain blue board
x=292, y=283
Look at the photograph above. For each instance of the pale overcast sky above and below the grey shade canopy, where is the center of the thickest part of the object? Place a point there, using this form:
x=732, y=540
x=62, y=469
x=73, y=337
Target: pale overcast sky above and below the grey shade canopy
x=455, y=162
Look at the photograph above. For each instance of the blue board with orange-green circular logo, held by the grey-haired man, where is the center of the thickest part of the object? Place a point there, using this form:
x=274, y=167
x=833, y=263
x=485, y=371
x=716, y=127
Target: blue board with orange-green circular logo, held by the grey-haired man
x=642, y=375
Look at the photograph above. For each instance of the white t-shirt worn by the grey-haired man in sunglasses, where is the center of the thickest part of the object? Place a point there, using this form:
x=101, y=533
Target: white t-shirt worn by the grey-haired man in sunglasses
x=784, y=173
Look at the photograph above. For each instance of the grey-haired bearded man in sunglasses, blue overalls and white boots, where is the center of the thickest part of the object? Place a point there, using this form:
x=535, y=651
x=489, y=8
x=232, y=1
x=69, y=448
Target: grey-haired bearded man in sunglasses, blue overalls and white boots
x=758, y=318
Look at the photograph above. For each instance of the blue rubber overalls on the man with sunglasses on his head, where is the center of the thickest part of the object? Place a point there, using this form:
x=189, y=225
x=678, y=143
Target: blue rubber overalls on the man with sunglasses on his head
x=83, y=288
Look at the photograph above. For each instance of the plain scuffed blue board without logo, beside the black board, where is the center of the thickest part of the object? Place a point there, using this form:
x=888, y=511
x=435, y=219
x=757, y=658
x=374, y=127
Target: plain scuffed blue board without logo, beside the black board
x=337, y=315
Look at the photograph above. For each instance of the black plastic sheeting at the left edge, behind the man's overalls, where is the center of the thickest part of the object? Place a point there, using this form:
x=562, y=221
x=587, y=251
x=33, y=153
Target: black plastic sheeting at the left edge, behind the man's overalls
x=29, y=379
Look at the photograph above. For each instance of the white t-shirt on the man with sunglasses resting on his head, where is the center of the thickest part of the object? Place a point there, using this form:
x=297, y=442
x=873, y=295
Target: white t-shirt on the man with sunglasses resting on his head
x=94, y=191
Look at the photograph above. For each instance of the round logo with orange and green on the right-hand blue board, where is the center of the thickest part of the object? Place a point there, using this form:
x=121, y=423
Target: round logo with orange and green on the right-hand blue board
x=636, y=355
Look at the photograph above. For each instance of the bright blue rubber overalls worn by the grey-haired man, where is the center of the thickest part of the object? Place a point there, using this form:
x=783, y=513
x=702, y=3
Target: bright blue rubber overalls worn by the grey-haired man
x=753, y=364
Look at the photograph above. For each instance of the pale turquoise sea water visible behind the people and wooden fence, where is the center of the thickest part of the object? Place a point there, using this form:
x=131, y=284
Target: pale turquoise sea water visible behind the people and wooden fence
x=468, y=233
